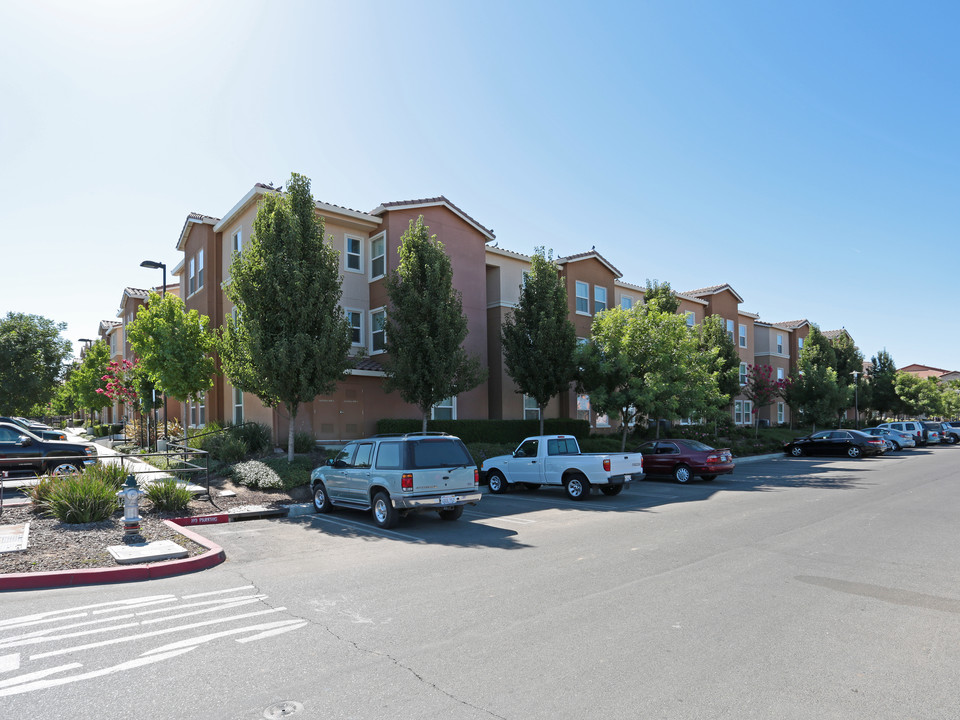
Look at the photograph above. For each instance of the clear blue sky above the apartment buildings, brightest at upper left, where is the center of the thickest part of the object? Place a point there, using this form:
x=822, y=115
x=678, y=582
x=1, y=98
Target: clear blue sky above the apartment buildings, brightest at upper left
x=807, y=153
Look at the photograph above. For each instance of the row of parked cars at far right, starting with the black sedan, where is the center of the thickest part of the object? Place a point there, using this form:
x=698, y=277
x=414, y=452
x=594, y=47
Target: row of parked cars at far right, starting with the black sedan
x=885, y=437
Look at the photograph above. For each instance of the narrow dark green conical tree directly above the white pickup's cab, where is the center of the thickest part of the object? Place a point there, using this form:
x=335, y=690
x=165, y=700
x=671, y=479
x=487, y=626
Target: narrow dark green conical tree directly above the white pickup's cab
x=539, y=341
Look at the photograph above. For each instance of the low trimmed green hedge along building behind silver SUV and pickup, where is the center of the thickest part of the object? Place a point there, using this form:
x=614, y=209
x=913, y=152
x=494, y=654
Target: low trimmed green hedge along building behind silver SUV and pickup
x=489, y=431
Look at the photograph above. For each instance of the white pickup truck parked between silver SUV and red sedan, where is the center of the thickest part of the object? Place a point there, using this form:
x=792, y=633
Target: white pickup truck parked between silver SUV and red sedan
x=557, y=460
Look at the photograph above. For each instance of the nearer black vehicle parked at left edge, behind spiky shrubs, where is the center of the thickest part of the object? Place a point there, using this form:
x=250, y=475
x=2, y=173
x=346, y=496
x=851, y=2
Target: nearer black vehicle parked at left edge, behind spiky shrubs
x=21, y=450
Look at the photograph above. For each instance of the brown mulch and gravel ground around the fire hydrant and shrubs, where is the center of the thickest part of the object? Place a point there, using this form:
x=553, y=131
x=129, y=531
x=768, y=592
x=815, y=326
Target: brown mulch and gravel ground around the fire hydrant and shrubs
x=53, y=545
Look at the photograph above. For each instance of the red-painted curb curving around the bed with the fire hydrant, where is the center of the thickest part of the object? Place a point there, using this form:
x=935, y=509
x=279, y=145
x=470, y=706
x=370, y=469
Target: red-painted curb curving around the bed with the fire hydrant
x=96, y=576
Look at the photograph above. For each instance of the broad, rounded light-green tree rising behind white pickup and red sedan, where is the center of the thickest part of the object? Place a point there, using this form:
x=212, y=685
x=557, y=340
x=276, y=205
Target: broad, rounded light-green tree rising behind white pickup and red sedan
x=645, y=362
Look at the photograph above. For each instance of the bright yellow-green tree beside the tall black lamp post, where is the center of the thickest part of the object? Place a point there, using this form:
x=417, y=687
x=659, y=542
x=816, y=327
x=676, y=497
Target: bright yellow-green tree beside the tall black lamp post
x=173, y=347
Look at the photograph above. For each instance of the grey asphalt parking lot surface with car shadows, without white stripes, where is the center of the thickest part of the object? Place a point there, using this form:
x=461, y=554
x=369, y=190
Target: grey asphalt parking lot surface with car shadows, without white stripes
x=795, y=588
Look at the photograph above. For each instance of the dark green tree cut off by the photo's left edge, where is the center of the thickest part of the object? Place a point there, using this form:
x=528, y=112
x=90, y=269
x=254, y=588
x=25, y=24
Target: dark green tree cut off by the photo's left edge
x=32, y=354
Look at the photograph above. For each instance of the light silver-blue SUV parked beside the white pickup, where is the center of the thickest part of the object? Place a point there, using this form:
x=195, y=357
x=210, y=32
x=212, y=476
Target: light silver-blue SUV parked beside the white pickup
x=393, y=475
